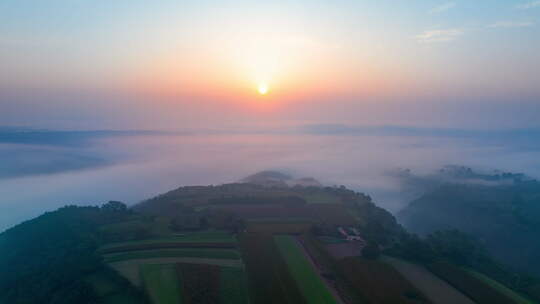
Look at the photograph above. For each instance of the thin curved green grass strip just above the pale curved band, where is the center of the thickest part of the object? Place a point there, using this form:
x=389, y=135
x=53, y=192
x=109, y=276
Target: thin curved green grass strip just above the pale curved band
x=160, y=253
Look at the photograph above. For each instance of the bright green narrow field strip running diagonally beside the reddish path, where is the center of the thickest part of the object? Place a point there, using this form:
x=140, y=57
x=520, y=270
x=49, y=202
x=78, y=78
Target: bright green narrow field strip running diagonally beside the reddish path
x=309, y=282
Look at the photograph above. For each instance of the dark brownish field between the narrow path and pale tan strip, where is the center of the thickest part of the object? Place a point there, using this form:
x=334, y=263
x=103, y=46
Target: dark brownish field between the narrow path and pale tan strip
x=378, y=282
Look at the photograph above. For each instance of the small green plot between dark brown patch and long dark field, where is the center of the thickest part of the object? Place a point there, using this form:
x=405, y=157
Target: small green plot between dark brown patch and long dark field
x=233, y=286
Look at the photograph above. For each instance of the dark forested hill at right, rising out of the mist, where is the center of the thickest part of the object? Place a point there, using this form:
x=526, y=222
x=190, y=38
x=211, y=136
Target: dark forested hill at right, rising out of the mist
x=501, y=209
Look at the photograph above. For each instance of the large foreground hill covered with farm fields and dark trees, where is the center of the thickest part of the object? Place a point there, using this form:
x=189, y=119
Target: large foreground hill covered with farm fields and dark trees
x=244, y=243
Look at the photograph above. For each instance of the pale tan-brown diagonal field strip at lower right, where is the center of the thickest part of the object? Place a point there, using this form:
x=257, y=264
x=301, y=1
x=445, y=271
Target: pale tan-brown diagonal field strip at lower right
x=435, y=289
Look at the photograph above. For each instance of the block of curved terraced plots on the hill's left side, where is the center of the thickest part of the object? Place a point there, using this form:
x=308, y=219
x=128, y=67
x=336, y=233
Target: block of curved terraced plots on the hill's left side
x=191, y=268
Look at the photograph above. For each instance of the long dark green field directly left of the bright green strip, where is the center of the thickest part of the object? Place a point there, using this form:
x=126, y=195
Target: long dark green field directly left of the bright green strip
x=269, y=278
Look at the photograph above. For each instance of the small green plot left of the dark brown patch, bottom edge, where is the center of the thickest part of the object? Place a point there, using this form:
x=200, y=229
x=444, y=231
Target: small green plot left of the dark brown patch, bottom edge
x=161, y=283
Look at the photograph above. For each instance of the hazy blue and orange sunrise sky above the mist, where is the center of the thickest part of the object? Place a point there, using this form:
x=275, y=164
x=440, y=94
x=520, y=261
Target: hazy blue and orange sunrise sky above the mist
x=174, y=65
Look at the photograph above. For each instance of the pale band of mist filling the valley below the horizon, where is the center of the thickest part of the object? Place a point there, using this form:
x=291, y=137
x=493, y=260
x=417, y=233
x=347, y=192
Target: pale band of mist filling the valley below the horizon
x=135, y=167
